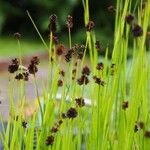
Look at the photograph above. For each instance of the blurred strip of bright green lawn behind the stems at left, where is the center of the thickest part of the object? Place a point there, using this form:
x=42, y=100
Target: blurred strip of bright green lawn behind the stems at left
x=9, y=47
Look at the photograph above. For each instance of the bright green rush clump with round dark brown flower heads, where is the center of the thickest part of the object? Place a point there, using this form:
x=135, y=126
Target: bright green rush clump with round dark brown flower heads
x=99, y=105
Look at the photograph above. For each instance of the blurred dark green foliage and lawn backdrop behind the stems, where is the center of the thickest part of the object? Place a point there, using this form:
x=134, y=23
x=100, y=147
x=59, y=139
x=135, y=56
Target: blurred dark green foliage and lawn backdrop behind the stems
x=13, y=18
